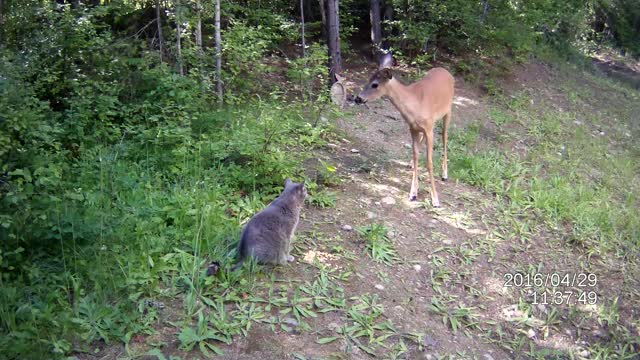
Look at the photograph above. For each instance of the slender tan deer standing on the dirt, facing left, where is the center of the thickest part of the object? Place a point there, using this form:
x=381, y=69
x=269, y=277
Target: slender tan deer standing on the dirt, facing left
x=421, y=104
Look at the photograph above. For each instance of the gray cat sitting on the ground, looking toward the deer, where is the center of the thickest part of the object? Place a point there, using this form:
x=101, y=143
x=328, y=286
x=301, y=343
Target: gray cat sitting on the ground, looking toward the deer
x=267, y=236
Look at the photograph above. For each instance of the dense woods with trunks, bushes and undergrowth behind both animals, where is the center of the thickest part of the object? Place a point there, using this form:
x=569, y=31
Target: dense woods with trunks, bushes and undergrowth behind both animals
x=132, y=148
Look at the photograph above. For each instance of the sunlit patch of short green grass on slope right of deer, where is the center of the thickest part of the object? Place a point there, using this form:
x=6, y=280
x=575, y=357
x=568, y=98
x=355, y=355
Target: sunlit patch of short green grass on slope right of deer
x=569, y=177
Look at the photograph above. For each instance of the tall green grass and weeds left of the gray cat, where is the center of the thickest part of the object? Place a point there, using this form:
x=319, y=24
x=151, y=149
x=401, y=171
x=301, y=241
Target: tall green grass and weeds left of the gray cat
x=141, y=221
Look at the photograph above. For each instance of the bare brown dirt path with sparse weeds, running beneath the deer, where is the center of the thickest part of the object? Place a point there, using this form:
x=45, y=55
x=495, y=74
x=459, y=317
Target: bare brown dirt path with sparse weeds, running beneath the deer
x=443, y=295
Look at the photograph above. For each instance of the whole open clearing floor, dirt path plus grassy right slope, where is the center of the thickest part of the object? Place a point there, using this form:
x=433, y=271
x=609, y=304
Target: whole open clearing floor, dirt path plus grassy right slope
x=378, y=275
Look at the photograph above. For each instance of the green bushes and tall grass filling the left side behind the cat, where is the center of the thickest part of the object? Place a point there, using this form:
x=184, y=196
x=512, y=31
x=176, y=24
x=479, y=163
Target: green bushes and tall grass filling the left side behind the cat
x=119, y=178
